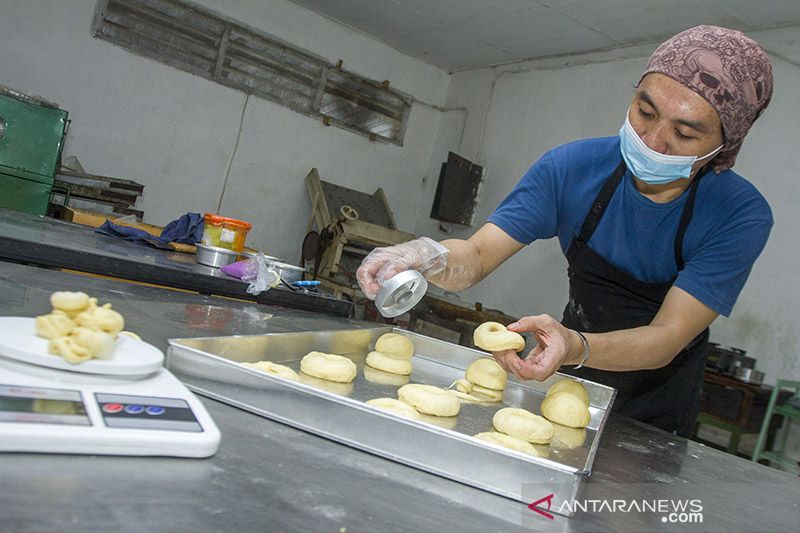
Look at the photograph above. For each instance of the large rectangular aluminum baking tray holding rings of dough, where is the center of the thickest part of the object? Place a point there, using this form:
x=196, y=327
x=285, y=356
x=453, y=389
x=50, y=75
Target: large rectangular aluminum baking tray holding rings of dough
x=211, y=367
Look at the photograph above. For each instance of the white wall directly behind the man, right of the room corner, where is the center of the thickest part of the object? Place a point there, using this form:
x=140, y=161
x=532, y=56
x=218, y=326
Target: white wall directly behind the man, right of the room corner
x=516, y=113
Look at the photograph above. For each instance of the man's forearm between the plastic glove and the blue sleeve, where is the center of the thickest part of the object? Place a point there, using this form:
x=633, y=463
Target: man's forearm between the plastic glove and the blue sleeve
x=471, y=260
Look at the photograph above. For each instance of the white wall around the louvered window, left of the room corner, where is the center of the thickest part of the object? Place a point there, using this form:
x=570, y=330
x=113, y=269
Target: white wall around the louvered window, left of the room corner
x=176, y=133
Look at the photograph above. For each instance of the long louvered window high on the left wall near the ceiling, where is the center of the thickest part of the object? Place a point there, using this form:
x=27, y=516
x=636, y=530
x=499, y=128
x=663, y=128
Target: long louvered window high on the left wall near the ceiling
x=192, y=39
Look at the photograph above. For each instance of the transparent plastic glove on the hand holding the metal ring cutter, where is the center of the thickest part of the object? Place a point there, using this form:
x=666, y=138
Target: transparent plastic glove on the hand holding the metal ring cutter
x=424, y=255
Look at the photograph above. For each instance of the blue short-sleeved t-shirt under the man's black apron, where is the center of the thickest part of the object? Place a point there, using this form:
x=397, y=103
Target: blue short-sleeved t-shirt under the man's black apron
x=728, y=230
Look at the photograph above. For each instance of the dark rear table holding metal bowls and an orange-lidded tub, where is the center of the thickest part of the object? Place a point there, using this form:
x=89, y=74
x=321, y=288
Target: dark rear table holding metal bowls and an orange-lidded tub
x=49, y=242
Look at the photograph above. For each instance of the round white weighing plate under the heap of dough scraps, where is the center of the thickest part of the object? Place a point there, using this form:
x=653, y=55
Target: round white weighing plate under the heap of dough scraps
x=18, y=340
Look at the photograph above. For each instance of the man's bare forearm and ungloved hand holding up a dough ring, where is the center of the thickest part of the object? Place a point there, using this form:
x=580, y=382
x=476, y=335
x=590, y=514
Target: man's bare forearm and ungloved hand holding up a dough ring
x=680, y=318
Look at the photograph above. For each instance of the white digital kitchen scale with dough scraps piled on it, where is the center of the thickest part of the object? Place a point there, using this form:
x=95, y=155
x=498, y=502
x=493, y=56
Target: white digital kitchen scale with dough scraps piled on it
x=127, y=405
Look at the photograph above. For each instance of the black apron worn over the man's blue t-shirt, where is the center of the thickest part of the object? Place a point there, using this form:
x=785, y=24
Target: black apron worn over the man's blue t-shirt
x=605, y=298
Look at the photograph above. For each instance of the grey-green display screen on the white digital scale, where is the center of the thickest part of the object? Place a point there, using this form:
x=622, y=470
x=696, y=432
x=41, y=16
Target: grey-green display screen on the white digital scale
x=38, y=405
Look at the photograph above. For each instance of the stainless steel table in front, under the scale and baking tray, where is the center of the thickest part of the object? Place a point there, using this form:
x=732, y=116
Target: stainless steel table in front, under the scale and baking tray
x=270, y=477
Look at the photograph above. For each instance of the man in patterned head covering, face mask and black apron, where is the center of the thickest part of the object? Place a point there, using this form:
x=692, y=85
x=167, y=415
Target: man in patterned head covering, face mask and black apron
x=660, y=235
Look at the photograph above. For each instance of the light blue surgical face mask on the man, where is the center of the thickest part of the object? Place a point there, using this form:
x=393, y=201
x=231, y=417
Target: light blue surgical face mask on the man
x=653, y=167
